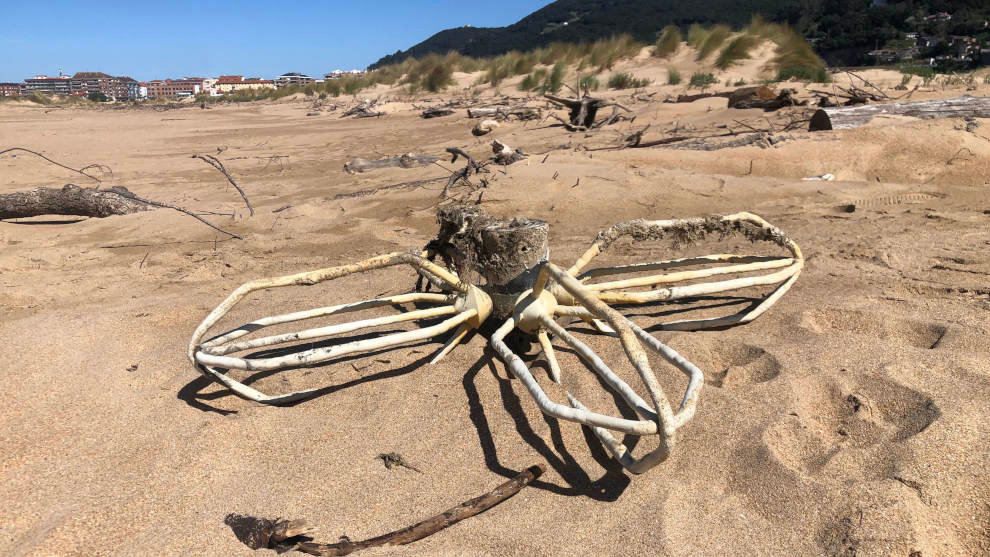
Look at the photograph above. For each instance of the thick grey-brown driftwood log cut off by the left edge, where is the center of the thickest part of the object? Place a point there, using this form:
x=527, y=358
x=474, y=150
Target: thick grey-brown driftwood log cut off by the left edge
x=69, y=200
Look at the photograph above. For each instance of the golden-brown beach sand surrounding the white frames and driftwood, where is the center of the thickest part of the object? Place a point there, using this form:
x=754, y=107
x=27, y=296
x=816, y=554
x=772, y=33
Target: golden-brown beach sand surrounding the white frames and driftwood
x=852, y=418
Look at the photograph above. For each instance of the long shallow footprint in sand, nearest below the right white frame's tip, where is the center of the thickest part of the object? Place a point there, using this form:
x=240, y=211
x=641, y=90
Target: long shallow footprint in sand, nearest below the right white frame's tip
x=920, y=334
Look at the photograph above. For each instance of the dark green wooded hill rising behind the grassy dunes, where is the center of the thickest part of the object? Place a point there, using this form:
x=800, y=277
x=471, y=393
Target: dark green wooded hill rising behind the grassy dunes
x=841, y=30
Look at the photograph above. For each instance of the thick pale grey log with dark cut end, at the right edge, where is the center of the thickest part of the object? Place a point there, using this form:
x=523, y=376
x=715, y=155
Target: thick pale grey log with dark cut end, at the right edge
x=847, y=117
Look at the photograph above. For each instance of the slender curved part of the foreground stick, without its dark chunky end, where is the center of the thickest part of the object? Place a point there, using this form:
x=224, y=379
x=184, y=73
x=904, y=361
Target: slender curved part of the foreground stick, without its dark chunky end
x=431, y=525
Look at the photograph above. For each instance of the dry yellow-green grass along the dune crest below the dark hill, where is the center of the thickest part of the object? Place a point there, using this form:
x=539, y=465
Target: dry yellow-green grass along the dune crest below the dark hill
x=544, y=68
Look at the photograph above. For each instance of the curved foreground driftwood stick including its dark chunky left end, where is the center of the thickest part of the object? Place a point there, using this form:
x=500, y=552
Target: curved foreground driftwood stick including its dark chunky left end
x=273, y=533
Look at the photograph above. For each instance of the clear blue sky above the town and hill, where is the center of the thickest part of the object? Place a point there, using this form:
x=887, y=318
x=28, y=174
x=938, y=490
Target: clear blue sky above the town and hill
x=159, y=39
